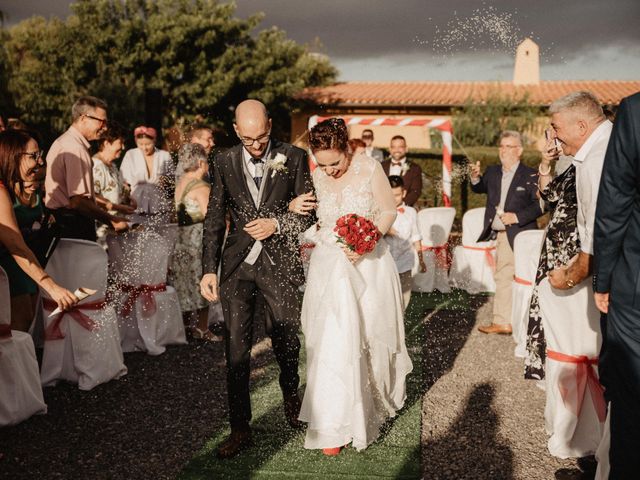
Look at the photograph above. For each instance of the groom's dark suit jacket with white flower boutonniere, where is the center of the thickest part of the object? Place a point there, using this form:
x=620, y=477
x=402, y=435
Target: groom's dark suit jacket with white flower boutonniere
x=230, y=193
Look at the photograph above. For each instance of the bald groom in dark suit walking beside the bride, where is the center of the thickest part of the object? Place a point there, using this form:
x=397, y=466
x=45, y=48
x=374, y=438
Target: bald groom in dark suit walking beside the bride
x=254, y=182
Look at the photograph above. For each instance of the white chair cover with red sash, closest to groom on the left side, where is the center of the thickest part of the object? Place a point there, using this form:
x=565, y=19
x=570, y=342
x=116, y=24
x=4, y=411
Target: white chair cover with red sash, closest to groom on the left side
x=148, y=310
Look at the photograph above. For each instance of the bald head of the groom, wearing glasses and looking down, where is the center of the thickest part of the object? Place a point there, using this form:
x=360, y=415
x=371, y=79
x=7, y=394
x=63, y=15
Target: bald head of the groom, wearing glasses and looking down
x=253, y=126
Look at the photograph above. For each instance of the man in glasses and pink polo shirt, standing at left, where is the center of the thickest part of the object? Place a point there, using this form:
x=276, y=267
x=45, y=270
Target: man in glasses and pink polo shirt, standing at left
x=69, y=178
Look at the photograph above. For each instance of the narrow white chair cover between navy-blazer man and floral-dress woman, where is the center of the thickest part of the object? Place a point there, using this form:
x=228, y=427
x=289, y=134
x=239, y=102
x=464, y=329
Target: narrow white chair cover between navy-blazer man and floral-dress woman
x=526, y=252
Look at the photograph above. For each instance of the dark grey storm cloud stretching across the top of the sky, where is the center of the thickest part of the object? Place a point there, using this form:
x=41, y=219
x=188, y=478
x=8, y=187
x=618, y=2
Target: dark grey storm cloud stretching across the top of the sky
x=357, y=28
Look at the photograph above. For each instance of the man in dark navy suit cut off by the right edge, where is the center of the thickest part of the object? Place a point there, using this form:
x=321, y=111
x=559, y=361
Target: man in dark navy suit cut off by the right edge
x=617, y=286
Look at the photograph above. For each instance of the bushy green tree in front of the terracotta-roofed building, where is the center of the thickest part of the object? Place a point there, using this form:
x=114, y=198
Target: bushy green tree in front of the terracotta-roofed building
x=480, y=123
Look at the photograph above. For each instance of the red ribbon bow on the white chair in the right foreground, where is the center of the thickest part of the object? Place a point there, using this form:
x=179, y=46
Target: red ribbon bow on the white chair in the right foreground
x=585, y=377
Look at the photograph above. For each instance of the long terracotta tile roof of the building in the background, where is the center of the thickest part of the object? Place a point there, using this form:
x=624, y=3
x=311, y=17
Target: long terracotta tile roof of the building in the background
x=458, y=93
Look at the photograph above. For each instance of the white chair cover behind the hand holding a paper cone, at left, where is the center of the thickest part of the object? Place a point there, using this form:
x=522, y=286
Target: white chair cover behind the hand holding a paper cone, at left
x=86, y=357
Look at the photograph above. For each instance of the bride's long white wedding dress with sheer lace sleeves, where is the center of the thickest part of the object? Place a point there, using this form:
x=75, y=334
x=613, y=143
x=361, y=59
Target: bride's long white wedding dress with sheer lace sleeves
x=352, y=317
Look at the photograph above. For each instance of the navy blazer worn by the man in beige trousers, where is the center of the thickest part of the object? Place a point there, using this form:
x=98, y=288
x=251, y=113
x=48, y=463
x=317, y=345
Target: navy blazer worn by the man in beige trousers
x=521, y=199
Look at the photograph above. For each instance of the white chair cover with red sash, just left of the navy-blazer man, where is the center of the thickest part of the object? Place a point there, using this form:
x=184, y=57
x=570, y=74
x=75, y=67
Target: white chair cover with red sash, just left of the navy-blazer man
x=473, y=262
